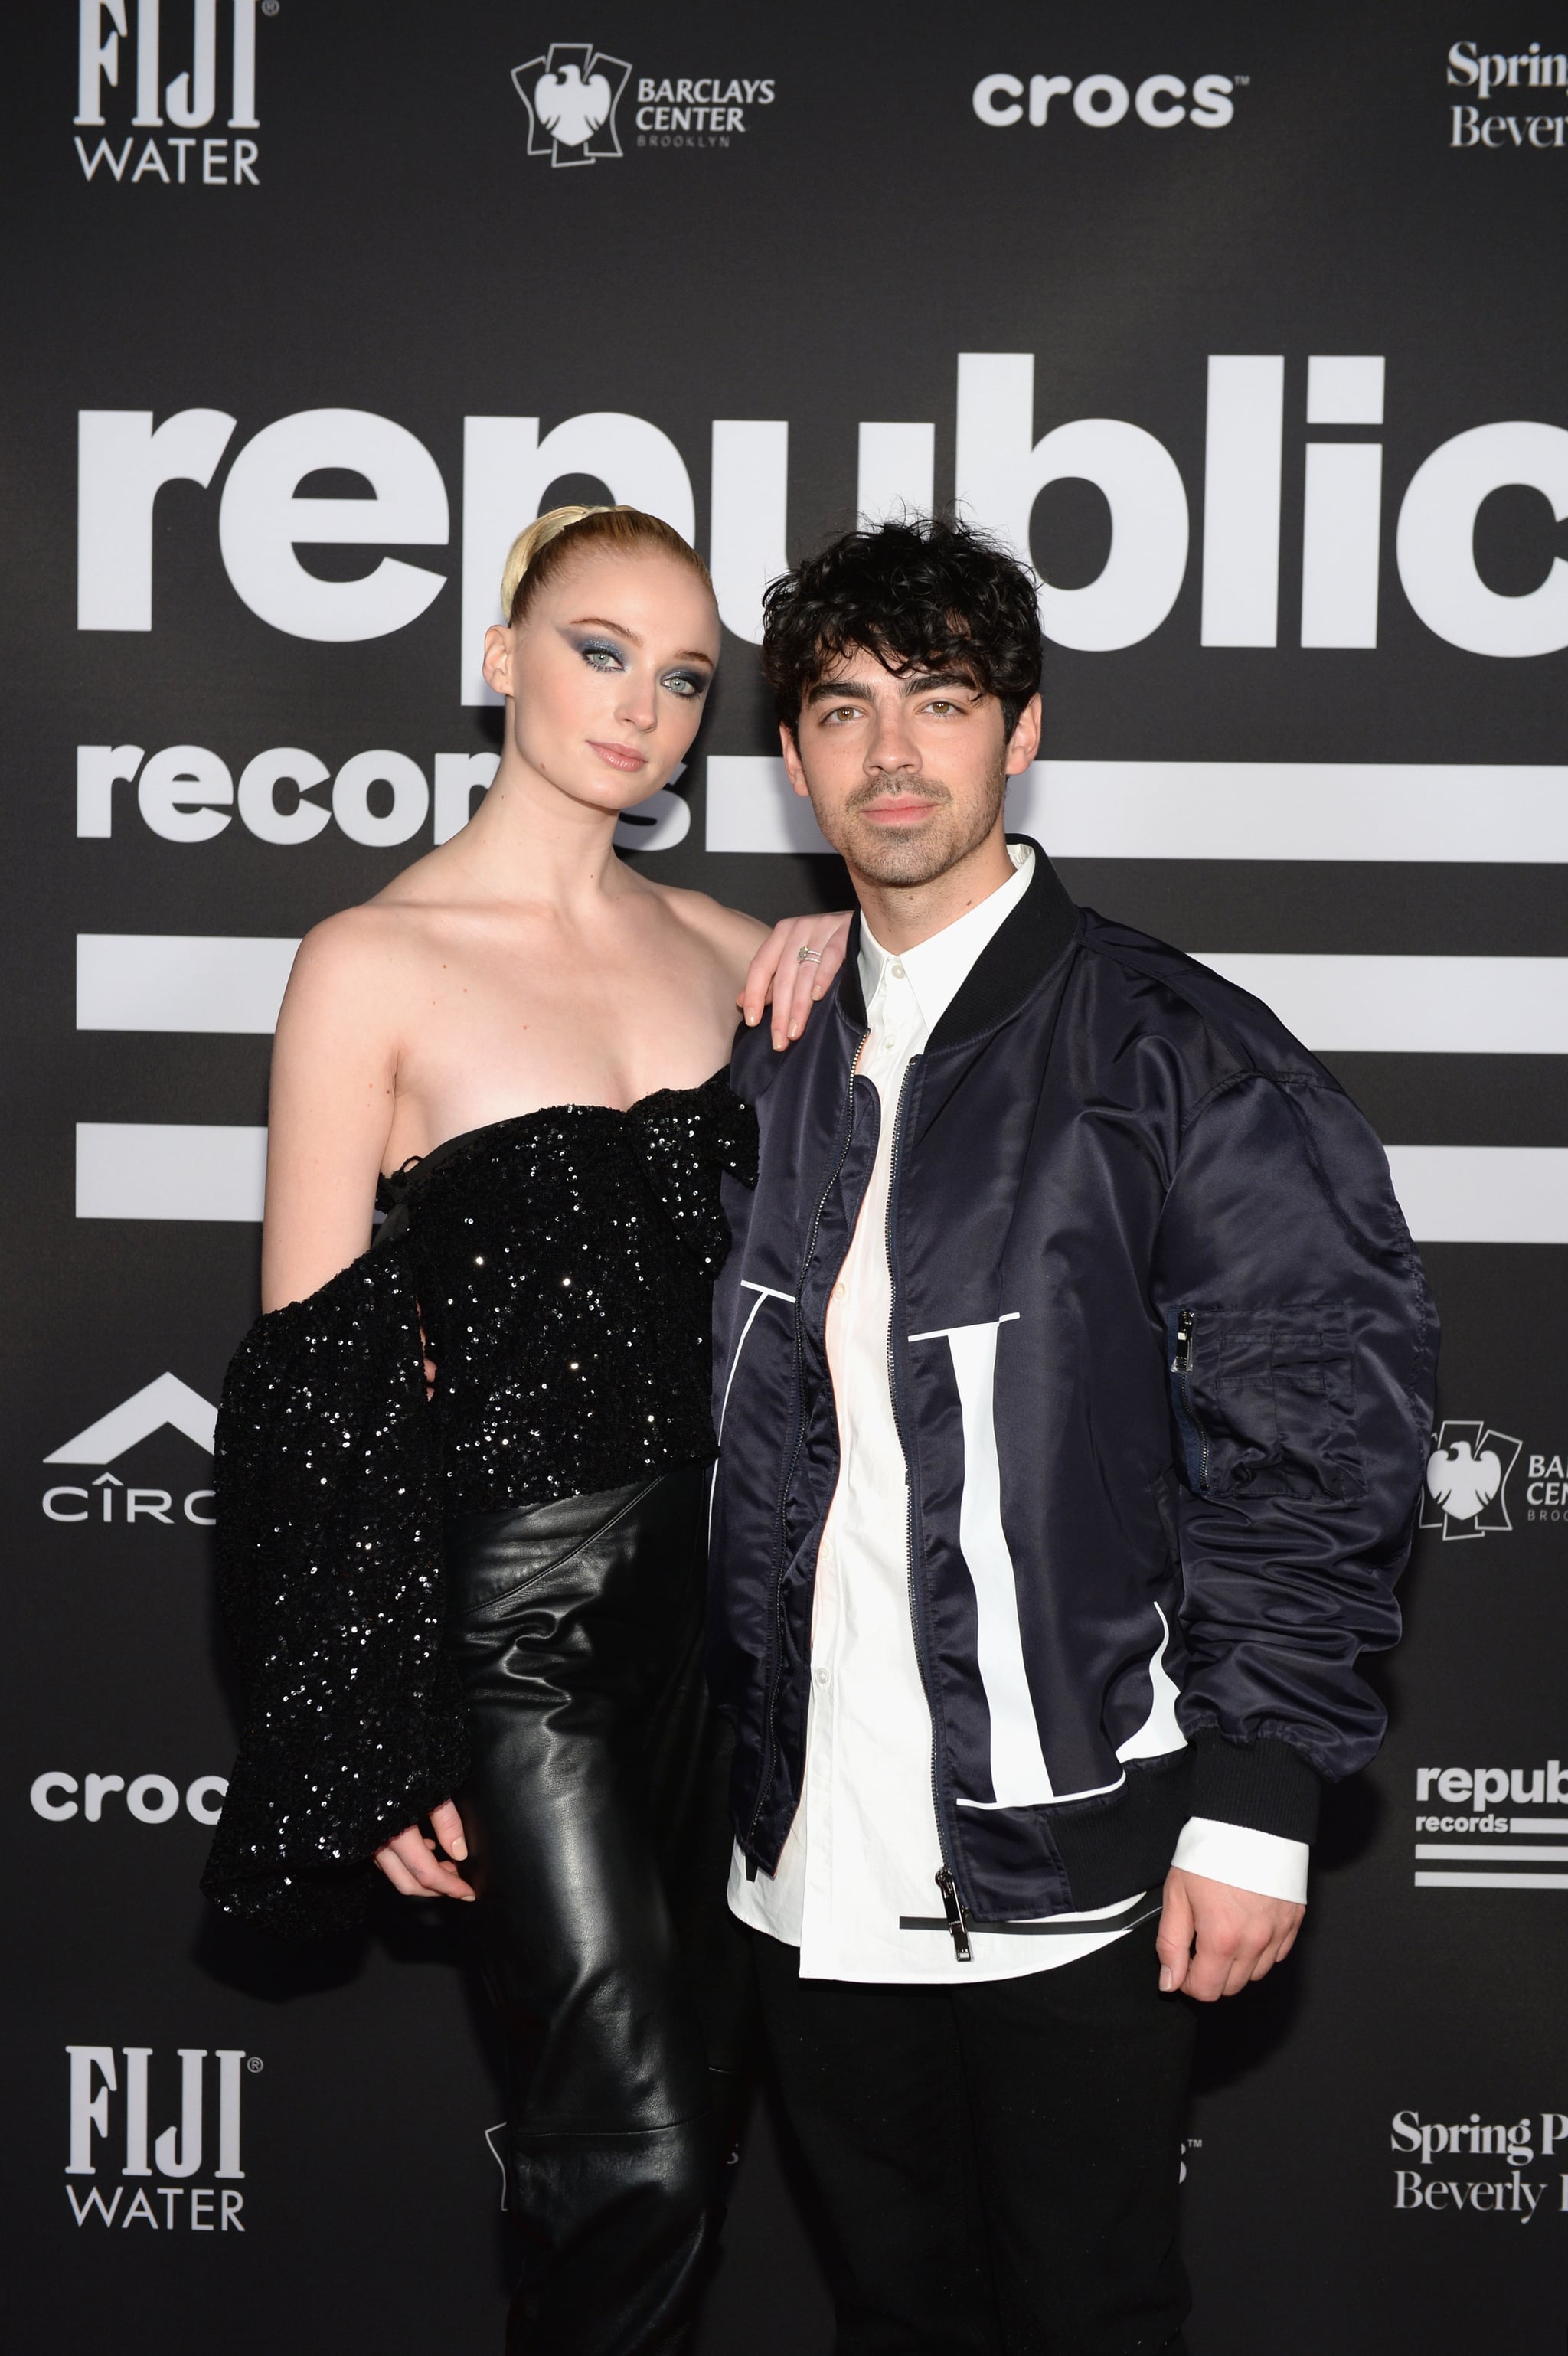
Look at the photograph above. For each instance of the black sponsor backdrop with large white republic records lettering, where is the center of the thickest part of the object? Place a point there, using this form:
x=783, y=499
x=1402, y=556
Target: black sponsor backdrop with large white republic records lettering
x=1249, y=329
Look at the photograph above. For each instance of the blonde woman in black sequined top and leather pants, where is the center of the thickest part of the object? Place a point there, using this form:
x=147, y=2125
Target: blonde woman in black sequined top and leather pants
x=463, y=1478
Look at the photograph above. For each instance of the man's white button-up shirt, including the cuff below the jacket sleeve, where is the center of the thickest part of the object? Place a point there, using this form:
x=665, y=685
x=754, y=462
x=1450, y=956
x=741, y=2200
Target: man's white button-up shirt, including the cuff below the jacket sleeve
x=863, y=1851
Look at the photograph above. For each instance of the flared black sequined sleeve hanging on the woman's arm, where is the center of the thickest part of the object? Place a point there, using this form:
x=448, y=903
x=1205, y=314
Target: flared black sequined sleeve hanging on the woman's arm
x=328, y=1540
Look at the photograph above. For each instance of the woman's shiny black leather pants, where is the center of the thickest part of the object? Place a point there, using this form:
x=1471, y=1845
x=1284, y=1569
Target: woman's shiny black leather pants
x=599, y=1848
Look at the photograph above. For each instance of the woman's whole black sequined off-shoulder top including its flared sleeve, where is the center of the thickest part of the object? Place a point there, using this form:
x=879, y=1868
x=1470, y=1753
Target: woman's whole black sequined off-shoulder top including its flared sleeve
x=557, y=1269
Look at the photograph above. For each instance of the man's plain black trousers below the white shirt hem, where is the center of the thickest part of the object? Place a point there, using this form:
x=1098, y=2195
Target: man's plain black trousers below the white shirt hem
x=999, y=2164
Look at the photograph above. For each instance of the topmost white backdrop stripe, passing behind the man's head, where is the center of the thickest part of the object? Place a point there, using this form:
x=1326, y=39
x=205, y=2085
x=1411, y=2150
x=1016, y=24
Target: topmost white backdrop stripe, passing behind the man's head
x=1400, y=812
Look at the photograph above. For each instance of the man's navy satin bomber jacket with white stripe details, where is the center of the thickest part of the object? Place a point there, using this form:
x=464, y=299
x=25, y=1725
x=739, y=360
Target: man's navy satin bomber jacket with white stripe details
x=1162, y=1361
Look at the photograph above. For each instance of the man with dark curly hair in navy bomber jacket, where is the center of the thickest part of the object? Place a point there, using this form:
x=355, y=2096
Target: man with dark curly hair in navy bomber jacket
x=1072, y=1377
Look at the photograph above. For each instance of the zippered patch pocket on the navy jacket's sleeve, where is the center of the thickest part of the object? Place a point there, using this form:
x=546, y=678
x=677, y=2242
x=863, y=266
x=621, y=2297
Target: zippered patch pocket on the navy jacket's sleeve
x=1265, y=1403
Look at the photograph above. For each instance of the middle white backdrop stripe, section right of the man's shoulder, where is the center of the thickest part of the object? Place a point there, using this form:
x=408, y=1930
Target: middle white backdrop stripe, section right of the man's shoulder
x=1411, y=1005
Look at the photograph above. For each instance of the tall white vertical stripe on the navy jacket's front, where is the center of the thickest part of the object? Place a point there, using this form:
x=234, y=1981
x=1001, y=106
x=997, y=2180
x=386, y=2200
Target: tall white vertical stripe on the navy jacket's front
x=1018, y=1763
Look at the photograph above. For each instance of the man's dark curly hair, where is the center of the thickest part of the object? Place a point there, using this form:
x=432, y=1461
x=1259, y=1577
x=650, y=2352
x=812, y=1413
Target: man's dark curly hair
x=919, y=595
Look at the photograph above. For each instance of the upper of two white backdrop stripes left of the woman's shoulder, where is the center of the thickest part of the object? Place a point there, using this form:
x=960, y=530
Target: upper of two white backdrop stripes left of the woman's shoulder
x=180, y=981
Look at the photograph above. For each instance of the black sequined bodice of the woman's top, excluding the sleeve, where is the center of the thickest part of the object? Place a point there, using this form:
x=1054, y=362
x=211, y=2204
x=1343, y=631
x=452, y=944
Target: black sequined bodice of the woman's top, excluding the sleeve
x=564, y=1266
